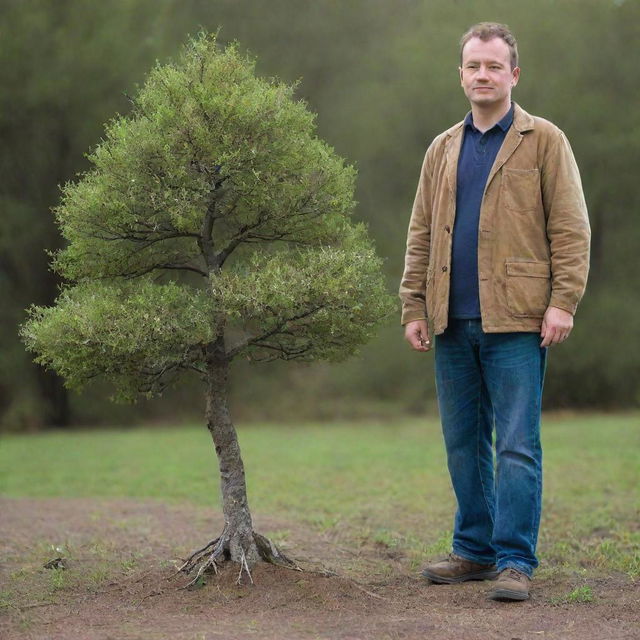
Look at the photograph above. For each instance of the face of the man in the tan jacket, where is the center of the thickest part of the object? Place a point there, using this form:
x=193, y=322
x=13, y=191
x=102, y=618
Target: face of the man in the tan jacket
x=486, y=75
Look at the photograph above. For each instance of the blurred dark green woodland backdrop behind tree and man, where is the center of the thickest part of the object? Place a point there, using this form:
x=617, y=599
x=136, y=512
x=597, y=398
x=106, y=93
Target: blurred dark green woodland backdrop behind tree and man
x=382, y=76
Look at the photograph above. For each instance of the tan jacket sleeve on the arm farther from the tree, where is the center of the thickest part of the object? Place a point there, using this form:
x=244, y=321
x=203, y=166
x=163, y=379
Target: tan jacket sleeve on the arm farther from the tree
x=567, y=222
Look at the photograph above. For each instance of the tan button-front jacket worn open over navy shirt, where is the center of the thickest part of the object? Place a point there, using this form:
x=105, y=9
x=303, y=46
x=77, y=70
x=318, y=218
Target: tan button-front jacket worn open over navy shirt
x=533, y=236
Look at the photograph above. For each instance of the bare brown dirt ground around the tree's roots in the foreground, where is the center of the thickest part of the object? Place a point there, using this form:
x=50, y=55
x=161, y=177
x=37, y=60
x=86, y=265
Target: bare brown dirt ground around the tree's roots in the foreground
x=120, y=584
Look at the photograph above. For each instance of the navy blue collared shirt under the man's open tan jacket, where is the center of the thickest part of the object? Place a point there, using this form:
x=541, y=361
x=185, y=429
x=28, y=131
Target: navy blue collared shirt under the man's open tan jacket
x=478, y=152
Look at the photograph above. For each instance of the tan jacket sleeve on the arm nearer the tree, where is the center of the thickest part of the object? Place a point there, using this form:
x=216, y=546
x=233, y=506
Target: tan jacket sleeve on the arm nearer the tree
x=413, y=284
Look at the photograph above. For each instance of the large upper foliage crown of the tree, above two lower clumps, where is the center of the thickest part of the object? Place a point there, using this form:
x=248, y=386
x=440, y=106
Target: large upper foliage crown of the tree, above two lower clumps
x=205, y=134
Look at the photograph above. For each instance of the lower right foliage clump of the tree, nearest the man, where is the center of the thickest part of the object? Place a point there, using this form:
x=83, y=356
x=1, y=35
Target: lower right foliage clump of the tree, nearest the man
x=311, y=303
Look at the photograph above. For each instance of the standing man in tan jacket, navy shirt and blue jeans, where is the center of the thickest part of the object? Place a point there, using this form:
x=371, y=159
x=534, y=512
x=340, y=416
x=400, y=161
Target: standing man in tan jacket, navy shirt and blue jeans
x=496, y=263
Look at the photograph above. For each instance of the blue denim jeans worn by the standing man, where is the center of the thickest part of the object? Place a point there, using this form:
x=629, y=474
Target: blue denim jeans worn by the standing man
x=488, y=381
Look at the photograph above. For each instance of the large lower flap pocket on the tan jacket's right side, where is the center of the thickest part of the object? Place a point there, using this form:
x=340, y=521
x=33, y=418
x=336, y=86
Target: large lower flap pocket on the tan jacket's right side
x=528, y=284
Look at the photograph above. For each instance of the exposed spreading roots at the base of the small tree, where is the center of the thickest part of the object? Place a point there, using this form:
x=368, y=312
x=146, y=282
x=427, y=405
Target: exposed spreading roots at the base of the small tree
x=218, y=551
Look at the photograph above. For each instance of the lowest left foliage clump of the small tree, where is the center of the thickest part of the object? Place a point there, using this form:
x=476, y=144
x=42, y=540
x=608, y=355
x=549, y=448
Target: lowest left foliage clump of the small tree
x=137, y=334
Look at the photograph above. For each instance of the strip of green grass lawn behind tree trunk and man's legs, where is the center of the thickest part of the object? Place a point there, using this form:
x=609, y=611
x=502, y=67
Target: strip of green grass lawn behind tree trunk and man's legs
x=364, y=482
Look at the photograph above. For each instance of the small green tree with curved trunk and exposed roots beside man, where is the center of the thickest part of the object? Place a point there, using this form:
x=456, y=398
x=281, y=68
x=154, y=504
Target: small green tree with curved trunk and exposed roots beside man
x=212, y=224
